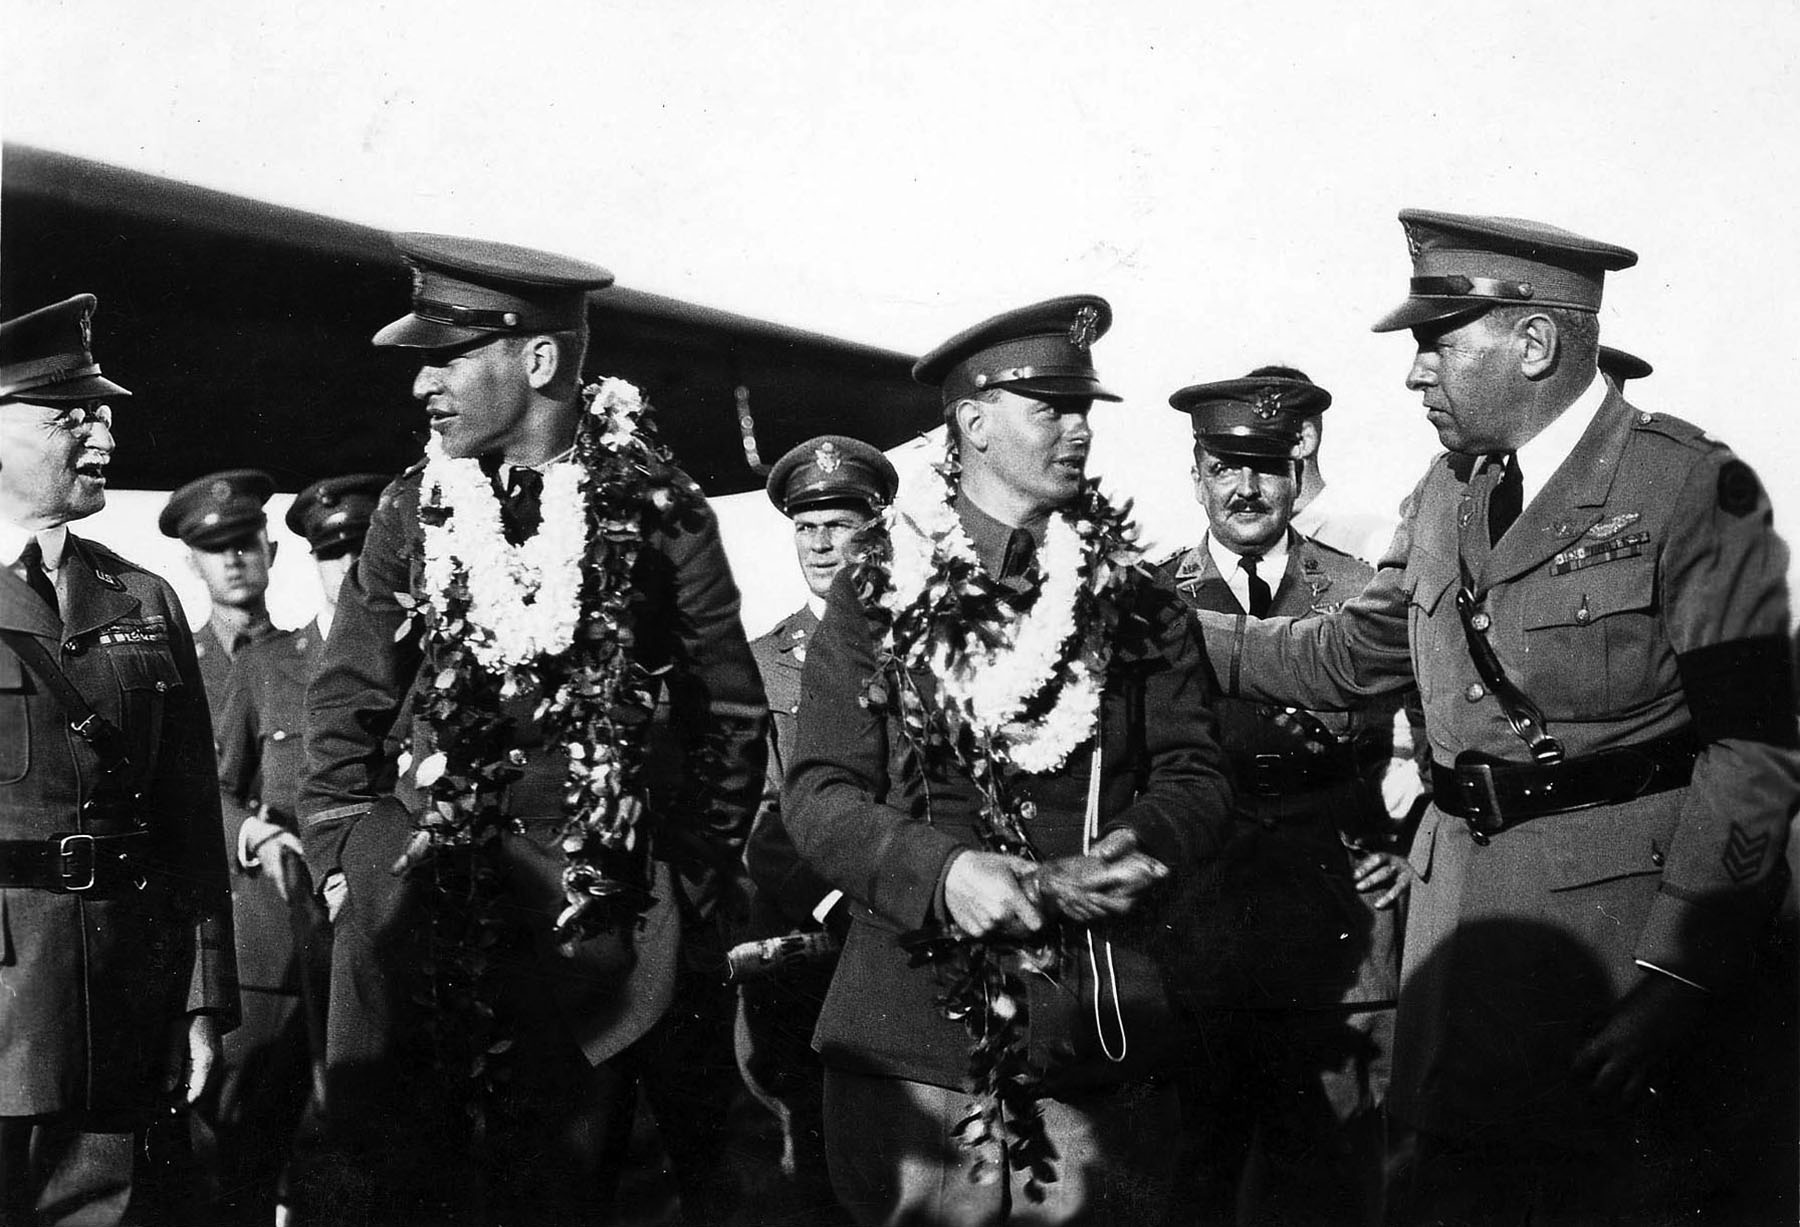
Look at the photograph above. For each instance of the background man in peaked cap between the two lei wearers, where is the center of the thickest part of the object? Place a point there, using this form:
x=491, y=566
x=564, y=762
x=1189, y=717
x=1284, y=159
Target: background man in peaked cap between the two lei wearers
x=832, y=488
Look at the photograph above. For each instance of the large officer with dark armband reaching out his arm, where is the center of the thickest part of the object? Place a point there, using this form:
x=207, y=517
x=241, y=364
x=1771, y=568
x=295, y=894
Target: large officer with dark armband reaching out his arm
x=1594, y=605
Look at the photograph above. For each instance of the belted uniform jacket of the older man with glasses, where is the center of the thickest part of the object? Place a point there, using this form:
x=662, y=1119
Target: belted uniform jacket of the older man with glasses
x=91, y=983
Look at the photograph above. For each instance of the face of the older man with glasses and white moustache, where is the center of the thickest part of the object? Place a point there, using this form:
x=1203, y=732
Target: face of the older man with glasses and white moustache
x=53, y=461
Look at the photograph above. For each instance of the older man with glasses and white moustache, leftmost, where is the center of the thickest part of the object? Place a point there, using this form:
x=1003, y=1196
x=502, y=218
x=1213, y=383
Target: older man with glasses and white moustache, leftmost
x=116, y=958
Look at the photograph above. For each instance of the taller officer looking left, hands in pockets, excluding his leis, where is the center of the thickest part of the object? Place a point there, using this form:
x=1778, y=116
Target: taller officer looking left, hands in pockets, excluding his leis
x=501, y=337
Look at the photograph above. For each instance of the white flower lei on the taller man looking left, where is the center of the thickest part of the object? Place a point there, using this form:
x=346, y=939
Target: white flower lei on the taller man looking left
x=523, y=600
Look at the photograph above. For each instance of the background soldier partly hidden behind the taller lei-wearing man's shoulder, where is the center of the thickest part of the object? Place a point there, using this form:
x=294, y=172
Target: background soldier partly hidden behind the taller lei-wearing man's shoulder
x=247, y=1131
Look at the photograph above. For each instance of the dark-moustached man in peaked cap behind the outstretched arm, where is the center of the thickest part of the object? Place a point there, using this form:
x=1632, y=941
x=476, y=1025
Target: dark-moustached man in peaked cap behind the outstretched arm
x=1295, y=944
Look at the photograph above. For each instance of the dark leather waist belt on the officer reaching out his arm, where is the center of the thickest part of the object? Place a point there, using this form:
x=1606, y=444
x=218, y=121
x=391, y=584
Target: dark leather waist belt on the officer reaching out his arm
x=1491, y=796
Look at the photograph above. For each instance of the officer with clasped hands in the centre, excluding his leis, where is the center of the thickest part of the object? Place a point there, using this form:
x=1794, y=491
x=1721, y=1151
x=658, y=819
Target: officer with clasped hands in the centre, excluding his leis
x=903, y=839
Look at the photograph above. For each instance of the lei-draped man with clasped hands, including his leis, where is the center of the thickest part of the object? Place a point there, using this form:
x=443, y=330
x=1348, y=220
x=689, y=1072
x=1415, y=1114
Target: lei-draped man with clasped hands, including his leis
x=998, y=1026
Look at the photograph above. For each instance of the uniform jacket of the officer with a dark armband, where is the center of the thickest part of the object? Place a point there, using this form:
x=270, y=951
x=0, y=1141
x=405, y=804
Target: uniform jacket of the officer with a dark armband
x=1642, y=593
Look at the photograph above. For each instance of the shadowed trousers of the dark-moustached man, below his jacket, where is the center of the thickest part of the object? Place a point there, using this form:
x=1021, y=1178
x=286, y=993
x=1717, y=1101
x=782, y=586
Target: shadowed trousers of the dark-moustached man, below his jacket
x=1282, y=1118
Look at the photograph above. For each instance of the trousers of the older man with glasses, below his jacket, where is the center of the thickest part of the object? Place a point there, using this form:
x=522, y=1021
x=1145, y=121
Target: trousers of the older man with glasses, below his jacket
x=57, y=1174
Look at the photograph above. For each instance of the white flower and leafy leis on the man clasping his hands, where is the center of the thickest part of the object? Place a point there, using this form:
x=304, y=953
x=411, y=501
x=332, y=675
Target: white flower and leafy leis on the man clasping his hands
x=1018, y=690
